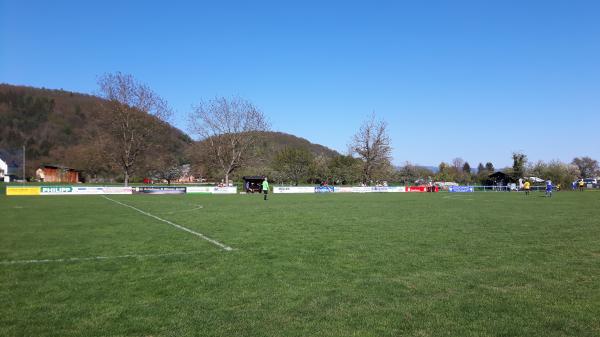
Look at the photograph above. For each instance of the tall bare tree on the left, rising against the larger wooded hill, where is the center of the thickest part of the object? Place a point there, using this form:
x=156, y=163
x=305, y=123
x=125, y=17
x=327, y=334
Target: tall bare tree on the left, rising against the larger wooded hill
x=134, y=116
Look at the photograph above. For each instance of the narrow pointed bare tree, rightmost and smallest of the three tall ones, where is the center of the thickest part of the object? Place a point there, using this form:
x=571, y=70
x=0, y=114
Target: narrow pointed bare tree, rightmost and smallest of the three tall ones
x=372, y=145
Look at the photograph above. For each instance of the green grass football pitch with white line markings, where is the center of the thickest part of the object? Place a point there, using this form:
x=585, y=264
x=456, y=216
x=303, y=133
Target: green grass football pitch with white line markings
x=479, y=264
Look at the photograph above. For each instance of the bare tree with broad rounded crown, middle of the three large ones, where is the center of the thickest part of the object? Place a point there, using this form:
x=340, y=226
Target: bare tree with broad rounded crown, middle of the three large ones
x=228, y=129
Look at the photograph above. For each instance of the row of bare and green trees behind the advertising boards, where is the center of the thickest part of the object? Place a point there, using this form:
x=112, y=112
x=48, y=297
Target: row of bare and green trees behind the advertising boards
x=229, y=128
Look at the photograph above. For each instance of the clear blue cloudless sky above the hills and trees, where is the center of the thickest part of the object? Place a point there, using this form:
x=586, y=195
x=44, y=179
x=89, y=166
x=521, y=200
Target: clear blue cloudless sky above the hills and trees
x=471, y=79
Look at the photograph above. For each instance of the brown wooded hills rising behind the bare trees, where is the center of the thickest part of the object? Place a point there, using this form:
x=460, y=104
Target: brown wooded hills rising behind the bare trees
x=62, y=128
